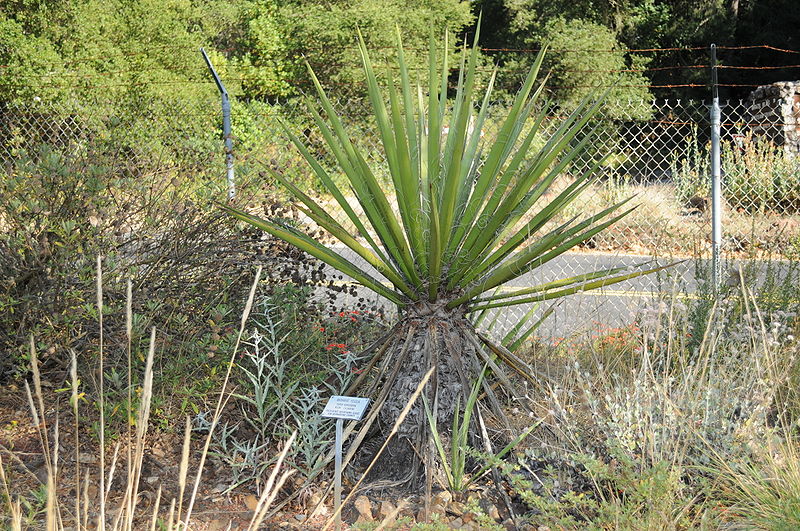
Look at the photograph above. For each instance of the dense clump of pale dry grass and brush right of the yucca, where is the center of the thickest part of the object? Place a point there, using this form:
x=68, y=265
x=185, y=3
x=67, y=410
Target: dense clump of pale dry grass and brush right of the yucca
x=673, y=431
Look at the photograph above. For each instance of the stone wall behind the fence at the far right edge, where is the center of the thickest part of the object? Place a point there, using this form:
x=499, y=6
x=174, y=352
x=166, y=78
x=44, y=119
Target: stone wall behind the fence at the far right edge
x=775, y=113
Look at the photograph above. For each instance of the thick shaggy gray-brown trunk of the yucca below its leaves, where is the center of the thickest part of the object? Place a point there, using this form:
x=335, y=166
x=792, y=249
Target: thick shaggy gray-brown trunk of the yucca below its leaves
x=427, y=336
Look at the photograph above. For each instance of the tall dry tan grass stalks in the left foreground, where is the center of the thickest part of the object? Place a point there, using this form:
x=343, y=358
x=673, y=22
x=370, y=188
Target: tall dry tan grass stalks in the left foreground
x=129, y=512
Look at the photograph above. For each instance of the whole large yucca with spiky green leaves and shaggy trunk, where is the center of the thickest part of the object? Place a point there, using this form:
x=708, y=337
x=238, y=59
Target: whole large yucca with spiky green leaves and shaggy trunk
x=462, y=216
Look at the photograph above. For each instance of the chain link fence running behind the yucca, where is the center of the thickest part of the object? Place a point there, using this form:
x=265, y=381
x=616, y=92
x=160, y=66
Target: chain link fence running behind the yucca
x=657, y=152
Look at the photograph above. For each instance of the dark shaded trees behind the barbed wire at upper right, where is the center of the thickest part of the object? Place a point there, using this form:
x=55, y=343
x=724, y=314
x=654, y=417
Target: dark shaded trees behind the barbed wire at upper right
x=647, y=24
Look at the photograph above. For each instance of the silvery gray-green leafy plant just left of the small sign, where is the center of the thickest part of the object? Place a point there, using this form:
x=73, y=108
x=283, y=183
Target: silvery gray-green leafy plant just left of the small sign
x=277, y=397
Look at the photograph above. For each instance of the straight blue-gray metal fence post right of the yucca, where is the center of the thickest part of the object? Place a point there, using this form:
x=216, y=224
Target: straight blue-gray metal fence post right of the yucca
x=716, y=189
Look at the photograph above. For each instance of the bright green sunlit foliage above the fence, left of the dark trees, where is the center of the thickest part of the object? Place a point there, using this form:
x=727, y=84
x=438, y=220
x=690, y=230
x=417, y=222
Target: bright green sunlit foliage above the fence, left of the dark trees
x=150, y=48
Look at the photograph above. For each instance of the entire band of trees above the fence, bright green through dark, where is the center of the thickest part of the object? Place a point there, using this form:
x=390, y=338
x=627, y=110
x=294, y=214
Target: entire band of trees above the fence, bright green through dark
x=146, y=49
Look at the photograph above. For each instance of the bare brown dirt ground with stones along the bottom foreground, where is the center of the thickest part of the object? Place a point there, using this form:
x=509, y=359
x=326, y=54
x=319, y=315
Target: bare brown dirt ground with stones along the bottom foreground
x=214, y=510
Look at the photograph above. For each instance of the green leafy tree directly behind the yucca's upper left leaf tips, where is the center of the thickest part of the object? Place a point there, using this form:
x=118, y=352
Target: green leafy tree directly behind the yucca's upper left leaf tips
x=321, y=33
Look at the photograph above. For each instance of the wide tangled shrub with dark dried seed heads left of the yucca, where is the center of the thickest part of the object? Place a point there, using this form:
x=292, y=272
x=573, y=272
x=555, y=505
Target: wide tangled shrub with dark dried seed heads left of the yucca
x=62, y=206
